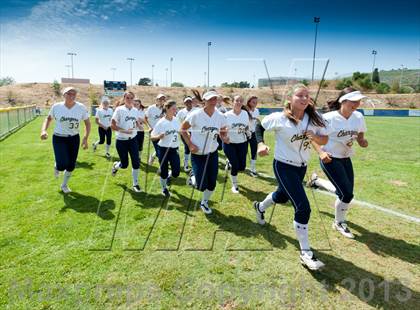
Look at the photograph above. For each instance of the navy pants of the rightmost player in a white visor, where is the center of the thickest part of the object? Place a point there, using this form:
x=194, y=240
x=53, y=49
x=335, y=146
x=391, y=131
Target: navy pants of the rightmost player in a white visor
x=340, y=172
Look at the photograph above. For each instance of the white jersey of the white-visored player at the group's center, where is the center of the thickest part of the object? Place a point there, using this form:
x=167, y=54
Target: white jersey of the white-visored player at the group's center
x=205, y=129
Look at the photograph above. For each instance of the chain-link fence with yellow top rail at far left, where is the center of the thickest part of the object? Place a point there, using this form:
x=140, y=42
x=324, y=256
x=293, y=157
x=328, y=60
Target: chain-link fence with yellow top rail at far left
x=13, y=118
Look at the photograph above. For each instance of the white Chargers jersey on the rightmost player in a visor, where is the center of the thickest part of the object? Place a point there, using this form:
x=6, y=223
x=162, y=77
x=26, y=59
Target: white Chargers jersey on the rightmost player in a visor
x=342, y=133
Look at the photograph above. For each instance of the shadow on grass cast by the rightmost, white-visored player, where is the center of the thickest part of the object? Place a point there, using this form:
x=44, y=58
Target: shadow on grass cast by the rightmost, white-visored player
x=383, y=245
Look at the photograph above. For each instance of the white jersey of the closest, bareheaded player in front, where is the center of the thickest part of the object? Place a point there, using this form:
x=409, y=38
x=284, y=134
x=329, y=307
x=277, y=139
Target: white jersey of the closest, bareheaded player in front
x=292, y=146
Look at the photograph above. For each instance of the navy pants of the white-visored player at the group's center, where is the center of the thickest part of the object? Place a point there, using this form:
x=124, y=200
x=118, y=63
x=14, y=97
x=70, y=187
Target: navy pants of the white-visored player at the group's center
x=205, y=176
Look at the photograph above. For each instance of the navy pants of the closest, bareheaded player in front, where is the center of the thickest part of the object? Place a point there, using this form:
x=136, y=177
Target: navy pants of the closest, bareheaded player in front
x=290, y=187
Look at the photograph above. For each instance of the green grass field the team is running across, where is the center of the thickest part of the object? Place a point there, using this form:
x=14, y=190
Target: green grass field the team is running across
x=104, y=246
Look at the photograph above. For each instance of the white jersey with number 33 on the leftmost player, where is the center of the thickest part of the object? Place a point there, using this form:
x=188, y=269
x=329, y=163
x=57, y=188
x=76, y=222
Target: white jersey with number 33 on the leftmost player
x=67, y=121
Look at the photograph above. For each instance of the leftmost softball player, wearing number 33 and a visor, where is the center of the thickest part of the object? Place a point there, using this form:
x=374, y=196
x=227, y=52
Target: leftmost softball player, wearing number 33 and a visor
x=66, y=140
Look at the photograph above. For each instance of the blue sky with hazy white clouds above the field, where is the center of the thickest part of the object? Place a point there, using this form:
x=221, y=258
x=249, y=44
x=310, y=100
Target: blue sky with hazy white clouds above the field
x=36, y=36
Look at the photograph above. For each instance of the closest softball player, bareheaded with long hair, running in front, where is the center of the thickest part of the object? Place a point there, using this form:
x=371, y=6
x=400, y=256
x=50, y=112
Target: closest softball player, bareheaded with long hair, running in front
x=294, y=128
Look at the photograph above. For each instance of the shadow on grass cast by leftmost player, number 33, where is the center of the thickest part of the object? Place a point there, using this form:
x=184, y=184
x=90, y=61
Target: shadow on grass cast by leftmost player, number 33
x=88, y=204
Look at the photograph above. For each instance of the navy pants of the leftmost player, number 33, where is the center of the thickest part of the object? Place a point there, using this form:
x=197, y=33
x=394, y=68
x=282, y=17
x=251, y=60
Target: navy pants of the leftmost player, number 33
x=66, y=150
